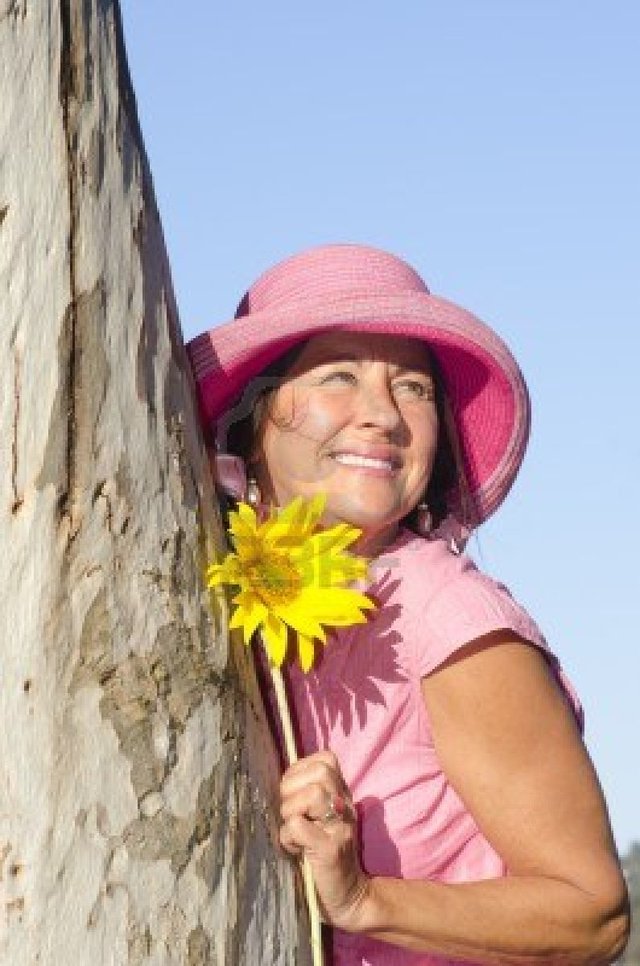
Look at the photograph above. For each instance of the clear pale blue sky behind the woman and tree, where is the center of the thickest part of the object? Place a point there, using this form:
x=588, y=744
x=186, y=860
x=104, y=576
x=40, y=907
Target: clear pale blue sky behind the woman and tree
x=496, y=145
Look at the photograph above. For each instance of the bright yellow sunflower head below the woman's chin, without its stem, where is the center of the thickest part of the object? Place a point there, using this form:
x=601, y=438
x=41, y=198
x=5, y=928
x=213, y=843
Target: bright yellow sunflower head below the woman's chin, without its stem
x=290, y=575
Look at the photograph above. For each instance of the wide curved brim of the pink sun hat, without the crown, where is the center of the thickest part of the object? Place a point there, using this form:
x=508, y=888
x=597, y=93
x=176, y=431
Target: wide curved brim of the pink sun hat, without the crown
x=485, y=388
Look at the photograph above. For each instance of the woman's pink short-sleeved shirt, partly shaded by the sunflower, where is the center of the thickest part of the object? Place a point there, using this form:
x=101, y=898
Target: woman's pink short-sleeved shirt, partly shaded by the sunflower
x=363, y=700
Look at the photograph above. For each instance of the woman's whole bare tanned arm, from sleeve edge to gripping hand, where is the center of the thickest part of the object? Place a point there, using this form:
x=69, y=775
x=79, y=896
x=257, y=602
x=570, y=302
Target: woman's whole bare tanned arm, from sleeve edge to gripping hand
x=508, y=743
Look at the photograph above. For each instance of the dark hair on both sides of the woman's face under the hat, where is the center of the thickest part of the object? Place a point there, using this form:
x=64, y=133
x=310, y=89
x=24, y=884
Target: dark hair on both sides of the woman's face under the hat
x=447, y=489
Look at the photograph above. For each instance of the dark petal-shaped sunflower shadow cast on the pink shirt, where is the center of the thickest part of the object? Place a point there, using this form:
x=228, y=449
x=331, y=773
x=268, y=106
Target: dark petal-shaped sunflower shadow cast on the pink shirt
x=349, y=680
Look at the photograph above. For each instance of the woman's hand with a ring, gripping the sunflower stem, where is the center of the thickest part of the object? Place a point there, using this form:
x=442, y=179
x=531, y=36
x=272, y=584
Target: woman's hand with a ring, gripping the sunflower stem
x=319, y=820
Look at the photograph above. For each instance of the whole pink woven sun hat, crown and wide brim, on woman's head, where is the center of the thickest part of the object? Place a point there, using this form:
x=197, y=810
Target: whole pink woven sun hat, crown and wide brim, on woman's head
x=361, y=289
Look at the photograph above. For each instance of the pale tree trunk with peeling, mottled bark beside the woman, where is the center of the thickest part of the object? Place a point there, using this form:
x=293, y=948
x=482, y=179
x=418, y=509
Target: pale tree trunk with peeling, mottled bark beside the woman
x=137, y=777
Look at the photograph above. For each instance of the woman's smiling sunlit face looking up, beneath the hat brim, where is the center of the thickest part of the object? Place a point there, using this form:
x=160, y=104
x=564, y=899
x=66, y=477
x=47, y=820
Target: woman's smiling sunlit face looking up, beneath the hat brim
x=355, y=418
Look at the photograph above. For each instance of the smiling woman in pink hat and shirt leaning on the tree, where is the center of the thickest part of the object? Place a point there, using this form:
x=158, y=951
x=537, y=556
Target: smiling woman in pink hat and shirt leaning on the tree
x=445, y=802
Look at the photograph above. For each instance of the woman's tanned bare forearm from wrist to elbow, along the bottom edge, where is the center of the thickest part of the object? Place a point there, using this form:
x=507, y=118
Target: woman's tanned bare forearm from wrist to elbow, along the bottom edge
x=513, y=920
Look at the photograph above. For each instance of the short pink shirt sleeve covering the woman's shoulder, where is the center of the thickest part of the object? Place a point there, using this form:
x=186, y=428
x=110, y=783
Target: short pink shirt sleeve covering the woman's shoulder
x=470, y=605
